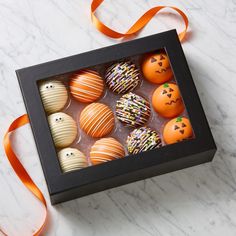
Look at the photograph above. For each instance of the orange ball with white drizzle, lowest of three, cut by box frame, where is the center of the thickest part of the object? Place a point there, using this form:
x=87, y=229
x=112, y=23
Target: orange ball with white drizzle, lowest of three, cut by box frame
x=106, y=149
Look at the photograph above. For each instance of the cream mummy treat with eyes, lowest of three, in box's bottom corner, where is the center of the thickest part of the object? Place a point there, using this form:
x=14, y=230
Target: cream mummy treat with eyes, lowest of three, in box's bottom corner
x=72, y=159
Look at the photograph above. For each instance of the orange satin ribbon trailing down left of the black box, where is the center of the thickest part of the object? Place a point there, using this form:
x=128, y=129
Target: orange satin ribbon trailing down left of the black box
x=18, y=167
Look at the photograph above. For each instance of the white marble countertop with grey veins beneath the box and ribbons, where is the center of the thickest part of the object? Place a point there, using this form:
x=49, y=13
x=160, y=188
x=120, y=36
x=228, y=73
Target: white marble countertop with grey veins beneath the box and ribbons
x=197, y=201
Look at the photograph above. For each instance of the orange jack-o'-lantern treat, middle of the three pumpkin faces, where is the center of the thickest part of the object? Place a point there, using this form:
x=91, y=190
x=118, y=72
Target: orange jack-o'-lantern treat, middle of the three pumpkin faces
x=167, y=100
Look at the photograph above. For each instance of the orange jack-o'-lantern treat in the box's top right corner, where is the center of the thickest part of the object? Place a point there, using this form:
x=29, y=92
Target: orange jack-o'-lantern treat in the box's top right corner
x=156, y=68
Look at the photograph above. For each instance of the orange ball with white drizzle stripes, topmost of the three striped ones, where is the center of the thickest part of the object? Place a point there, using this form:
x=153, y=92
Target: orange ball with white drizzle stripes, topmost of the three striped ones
x=86, y=86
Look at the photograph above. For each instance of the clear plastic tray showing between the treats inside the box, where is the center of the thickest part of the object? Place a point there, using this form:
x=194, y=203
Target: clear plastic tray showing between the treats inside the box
x=120, y=132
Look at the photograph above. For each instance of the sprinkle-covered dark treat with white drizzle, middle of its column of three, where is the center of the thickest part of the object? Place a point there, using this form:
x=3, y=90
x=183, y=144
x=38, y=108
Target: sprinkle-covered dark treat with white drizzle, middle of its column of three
x=132, y=110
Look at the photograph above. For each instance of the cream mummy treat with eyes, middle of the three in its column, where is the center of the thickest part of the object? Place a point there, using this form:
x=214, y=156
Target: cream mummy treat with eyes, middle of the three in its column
x=63, y=128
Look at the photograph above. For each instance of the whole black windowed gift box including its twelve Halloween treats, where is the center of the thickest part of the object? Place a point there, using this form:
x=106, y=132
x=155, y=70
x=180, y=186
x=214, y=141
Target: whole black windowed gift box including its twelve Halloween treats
x=115, y=115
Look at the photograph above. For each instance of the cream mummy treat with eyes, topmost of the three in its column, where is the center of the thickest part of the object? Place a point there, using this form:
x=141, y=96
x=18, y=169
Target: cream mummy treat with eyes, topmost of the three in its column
x=54, y=95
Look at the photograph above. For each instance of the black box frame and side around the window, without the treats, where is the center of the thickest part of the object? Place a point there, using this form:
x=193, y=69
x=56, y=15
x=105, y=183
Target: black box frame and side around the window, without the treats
x=63, y=187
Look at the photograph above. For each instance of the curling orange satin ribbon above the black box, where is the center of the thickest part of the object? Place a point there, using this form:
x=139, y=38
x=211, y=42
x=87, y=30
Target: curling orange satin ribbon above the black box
x=138, y=25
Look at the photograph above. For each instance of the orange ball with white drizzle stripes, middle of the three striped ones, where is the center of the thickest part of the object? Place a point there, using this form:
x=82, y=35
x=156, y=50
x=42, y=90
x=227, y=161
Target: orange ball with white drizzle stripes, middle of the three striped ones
x=97, y=120
